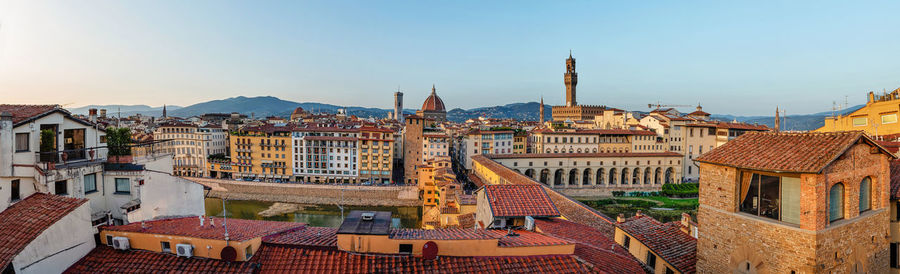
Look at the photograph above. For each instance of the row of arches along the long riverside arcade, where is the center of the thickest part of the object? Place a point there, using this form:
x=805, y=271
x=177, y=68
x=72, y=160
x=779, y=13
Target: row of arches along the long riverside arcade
x=602, y=176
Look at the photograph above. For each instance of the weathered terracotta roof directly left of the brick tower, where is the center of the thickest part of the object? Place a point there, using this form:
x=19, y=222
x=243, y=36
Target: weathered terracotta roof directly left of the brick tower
x=665, y=239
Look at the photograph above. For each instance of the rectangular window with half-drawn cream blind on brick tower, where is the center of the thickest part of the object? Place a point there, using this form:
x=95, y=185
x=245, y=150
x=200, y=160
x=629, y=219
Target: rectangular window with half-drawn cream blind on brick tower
x=771, y=196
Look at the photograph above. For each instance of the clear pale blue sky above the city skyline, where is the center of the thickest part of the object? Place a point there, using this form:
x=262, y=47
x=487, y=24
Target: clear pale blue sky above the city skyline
x=732, y=57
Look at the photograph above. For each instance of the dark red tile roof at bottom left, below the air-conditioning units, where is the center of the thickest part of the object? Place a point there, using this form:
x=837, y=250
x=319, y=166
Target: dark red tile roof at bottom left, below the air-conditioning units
x=105, y=259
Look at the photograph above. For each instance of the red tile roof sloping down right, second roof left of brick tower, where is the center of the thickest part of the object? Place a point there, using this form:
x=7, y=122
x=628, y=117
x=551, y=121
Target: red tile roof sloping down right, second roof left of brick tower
x=592, y=245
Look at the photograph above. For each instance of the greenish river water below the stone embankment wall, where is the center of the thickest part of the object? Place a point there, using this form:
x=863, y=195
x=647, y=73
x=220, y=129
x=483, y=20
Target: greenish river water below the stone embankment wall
x=313, y=215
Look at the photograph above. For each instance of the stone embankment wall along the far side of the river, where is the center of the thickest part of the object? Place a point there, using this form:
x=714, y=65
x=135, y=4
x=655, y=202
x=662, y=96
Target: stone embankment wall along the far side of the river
x=311, y=194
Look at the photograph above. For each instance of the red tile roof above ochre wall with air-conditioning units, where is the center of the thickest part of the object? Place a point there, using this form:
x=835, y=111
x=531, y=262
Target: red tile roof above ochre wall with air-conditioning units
x=238, y=230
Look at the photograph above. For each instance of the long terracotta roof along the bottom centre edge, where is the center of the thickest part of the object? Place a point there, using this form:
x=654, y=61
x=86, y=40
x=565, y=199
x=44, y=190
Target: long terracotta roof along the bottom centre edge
x=287, y=259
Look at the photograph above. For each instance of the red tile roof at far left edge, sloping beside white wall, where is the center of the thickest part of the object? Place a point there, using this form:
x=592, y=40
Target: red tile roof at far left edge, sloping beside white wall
x=25, y=220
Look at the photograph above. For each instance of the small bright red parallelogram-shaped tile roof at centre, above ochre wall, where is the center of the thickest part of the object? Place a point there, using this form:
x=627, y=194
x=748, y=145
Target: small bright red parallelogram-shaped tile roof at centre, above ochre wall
x=519, y=201
